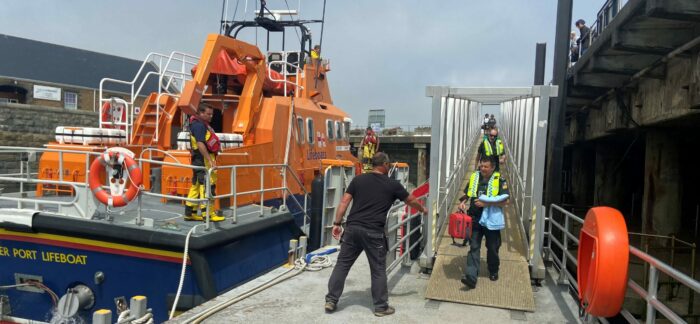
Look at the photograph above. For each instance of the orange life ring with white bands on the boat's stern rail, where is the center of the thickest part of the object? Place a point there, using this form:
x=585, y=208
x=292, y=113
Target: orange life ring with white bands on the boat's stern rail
x=96, y=185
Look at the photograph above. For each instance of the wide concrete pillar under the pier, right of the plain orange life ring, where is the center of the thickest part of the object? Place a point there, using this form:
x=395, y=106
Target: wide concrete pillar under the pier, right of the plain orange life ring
x=661, y=204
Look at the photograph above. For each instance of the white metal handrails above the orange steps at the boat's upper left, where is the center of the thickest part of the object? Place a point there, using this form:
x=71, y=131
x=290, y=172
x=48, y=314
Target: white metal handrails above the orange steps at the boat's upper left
x=175, y=68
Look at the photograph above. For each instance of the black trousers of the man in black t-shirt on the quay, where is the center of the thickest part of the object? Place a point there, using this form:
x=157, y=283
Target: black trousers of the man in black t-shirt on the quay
x=354, y=241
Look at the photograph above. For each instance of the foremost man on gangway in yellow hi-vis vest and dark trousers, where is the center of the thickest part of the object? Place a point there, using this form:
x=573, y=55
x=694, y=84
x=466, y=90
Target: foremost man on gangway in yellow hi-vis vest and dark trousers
x=486, y=182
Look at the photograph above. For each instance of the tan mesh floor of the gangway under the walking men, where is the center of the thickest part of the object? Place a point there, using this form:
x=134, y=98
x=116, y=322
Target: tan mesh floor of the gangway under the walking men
x=511, y=291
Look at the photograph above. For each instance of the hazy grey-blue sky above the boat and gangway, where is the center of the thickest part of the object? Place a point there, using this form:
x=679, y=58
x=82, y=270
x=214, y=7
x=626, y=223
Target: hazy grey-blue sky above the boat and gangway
x=383, y=53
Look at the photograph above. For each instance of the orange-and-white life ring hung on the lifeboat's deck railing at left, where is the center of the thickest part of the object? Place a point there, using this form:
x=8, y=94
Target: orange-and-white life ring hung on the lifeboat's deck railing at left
x=120, y=166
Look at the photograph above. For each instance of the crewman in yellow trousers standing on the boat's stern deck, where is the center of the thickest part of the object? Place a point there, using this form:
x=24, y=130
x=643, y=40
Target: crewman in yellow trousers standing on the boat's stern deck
x=204, y=147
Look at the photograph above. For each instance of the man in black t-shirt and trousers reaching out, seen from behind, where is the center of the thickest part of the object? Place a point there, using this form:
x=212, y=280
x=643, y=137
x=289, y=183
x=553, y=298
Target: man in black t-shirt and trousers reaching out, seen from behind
x=372, y=195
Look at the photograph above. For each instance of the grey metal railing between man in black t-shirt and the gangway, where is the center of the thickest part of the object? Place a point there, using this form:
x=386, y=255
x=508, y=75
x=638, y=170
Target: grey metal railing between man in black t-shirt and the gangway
x=407, y=227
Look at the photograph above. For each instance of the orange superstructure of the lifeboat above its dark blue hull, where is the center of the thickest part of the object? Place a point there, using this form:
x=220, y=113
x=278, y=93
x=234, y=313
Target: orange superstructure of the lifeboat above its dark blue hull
x=282, y=109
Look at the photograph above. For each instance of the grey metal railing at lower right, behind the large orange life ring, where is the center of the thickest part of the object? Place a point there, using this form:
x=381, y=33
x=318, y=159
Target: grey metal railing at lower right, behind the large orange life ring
x=566, y=235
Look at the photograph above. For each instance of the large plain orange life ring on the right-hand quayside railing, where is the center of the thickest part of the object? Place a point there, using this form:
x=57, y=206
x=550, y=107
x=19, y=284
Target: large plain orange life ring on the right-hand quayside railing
x=603, y=259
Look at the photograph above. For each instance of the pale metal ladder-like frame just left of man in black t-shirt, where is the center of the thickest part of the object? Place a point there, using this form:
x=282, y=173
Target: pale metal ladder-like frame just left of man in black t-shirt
x=335, y=180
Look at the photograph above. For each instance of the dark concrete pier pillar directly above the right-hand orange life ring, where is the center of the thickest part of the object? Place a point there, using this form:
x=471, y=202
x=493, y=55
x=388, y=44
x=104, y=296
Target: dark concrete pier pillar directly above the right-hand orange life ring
x=609, y=183
